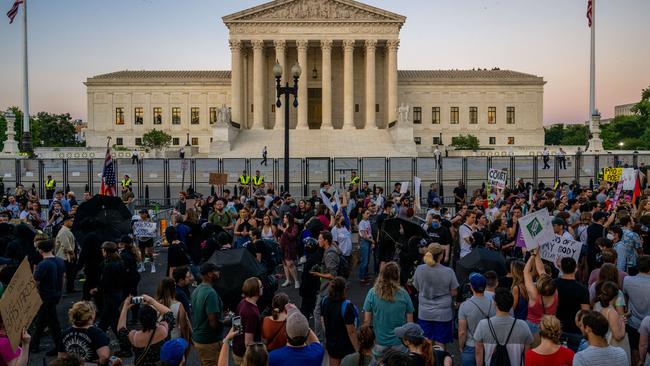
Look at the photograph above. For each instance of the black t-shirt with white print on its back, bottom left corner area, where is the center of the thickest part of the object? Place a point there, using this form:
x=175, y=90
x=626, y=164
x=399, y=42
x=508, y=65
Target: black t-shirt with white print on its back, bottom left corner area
x=84, y=342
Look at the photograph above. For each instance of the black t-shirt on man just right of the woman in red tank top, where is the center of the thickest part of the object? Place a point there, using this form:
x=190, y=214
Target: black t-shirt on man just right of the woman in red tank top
x=571, y=295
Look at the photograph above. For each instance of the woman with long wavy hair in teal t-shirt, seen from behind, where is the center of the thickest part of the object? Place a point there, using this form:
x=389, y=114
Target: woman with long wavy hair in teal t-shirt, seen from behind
x=386, y=307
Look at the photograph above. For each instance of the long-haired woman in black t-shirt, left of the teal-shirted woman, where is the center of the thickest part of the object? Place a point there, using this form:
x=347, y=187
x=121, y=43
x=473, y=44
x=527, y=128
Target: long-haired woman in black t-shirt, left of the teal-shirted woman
x=338, y=316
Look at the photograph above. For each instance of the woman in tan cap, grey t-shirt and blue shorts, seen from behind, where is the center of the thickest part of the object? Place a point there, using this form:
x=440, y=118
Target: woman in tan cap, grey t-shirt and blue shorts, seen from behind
x=436, y=285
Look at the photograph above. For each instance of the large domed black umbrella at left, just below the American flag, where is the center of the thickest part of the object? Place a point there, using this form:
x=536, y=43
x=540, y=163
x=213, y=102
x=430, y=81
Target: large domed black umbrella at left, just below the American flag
x=105, y=216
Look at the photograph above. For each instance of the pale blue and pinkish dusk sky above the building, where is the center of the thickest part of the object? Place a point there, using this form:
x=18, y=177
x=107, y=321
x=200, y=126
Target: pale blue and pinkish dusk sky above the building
x=71, y=40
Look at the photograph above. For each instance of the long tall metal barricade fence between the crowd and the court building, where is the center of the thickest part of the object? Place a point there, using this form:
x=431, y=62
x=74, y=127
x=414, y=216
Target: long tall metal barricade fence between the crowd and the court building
x=158, y=181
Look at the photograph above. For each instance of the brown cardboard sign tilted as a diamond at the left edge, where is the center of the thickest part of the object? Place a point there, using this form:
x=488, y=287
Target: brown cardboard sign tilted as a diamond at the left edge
x=19, y=304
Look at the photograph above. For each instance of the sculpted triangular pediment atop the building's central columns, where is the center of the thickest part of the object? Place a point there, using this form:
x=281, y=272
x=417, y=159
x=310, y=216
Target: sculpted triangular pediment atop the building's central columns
x=315, y=11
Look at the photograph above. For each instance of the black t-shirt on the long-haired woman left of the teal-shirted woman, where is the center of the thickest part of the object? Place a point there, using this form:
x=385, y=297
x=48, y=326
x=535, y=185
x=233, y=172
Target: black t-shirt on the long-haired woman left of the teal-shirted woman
x=337, y=342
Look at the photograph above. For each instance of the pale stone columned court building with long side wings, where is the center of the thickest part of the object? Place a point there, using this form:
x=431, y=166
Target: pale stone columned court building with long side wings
x=352, y=98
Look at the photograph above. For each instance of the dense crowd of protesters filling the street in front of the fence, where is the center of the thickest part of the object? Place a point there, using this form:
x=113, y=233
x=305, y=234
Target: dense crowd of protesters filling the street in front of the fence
x=593, y=311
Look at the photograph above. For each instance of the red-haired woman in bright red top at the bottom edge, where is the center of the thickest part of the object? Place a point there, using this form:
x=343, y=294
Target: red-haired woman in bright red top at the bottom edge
x=549, y=352
